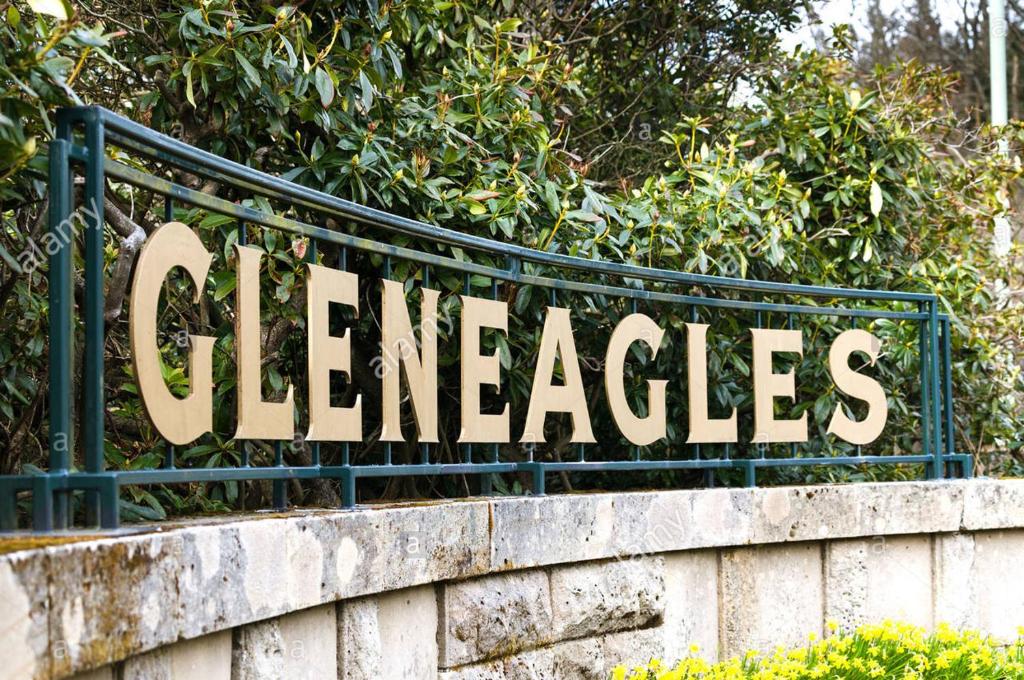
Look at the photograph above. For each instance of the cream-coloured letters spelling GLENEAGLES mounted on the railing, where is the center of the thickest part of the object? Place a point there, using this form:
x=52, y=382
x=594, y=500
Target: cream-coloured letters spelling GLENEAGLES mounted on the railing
x=183, y=420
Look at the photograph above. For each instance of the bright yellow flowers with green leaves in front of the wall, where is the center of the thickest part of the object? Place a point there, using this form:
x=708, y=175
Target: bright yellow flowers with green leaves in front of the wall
x=886, y=651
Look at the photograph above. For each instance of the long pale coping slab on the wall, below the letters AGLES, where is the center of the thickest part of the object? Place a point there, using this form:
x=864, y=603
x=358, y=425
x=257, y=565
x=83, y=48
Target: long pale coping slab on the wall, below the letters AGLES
x=538, y=532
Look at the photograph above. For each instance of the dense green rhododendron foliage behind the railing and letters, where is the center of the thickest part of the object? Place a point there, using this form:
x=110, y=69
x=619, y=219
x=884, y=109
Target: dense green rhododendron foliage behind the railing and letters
x=457, y=114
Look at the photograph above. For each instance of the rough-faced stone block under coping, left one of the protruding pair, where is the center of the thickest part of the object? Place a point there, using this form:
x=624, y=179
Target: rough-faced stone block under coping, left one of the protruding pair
x=494, y=617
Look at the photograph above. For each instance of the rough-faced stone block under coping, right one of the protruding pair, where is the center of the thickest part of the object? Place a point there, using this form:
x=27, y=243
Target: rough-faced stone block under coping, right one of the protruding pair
x=607, y=597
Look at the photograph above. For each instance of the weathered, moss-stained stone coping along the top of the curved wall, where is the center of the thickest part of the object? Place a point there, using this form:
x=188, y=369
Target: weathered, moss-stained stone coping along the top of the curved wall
x=78, y=602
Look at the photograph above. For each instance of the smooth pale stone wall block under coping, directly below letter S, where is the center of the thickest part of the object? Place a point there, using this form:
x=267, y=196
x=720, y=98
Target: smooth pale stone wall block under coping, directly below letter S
x=871, y=580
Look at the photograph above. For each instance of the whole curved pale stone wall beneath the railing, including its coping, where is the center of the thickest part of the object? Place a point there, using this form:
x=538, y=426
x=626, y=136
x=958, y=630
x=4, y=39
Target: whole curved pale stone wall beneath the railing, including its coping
x=494, y=589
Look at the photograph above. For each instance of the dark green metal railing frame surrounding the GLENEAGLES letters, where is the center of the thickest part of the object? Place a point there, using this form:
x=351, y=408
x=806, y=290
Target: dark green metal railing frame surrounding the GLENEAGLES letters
x=83, y=137
